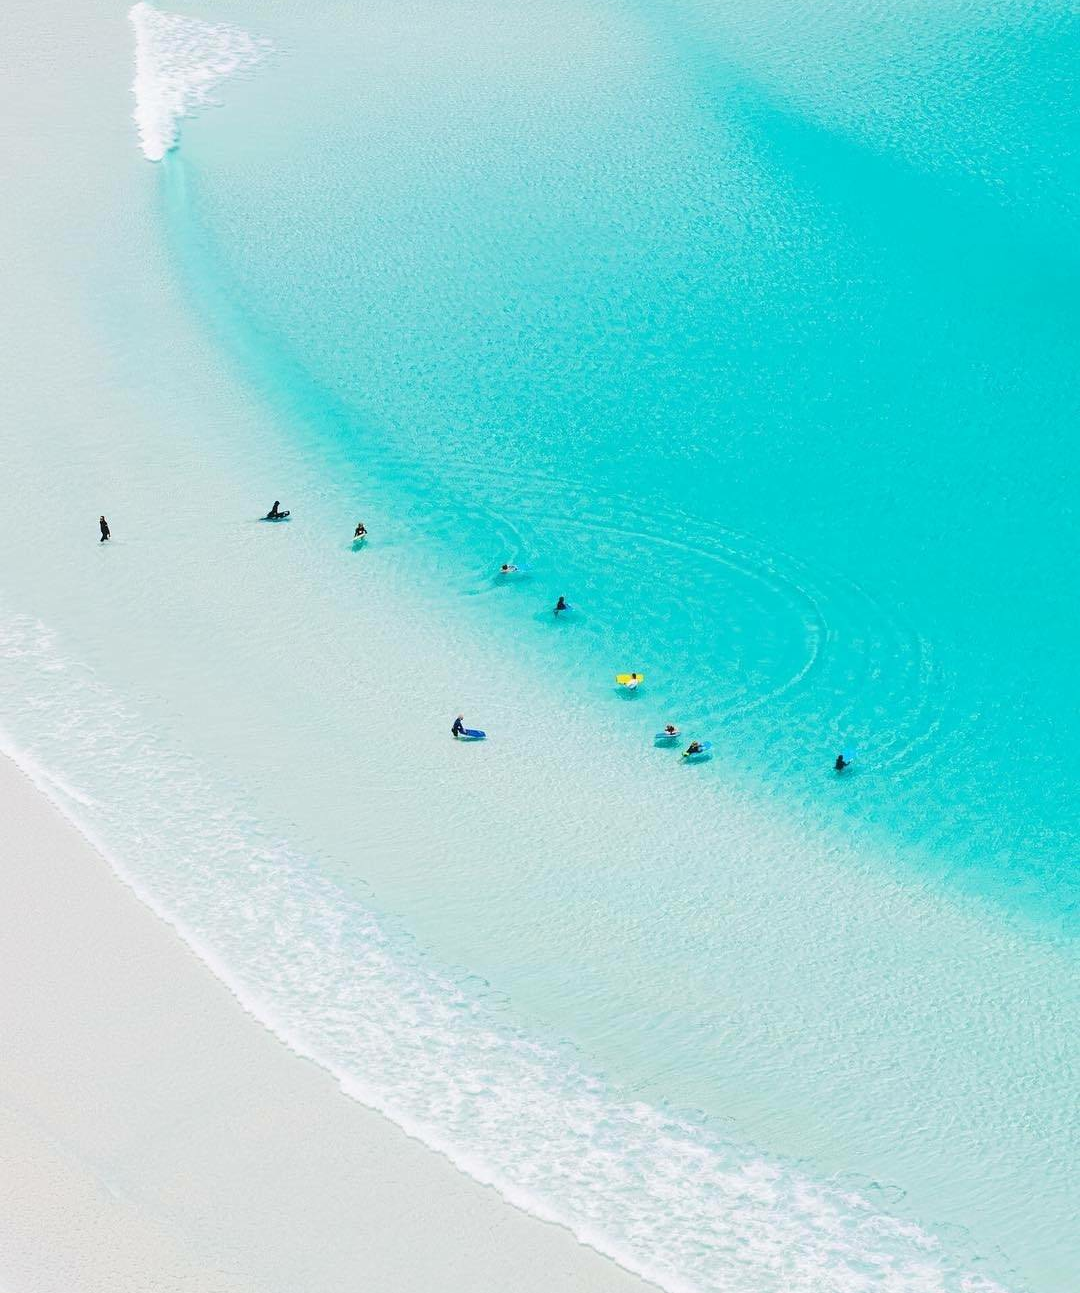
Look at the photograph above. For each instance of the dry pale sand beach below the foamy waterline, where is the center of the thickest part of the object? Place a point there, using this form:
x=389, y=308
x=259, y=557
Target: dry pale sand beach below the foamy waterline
x=130, y=1074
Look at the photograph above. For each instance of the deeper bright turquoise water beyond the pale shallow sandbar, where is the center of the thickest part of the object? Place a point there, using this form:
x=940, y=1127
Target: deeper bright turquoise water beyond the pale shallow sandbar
x=756, y=339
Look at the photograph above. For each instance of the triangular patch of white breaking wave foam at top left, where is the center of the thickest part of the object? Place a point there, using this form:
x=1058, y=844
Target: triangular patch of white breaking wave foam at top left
x=178, y=65
